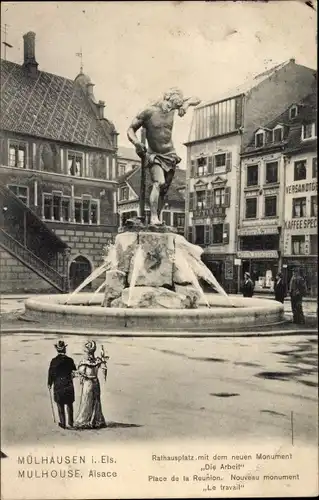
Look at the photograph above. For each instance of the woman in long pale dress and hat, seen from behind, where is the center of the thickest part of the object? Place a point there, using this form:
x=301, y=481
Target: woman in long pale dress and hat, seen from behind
x=90, y=415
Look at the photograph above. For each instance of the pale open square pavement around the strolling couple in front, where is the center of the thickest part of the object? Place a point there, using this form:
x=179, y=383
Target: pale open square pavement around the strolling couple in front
x=160, y=388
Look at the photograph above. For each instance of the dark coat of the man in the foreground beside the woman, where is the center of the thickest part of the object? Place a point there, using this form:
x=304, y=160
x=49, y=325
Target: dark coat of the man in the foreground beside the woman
x=60, y=375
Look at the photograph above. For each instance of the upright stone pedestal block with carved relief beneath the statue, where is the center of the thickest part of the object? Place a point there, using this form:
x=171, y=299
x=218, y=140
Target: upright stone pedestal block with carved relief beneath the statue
x=154, y=261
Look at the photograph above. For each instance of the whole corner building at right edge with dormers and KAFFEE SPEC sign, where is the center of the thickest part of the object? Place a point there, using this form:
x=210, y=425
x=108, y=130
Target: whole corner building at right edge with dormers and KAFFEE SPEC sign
x=278, y=205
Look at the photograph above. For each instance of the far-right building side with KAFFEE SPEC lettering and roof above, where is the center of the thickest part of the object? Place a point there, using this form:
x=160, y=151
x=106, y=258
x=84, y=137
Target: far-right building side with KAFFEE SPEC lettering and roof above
x=300, y=230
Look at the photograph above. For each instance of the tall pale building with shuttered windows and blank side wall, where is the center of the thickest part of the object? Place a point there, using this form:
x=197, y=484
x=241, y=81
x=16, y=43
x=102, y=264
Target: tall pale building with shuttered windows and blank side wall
x=220, y=131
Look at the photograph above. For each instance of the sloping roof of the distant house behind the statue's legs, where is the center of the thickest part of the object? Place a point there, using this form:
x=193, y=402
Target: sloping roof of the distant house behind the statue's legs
x=174, y=195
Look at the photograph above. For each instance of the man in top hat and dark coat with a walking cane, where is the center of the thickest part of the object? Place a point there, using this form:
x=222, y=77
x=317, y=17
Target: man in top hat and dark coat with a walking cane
x=61, y=377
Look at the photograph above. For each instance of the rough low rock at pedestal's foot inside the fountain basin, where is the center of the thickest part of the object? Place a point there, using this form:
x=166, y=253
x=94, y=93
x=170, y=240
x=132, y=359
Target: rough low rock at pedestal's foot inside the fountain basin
x=143, y=297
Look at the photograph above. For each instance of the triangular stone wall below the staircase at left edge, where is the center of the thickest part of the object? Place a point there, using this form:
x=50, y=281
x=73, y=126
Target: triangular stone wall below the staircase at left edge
x=17, y=278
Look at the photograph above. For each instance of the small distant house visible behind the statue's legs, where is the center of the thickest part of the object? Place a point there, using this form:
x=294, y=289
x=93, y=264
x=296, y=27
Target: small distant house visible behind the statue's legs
x=129, y=188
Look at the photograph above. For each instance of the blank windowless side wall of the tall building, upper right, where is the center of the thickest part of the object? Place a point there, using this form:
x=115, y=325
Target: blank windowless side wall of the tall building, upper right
x=271, y=97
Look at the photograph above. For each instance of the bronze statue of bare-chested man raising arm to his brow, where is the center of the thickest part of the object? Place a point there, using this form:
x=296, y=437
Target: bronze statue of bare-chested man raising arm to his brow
x=160, y=156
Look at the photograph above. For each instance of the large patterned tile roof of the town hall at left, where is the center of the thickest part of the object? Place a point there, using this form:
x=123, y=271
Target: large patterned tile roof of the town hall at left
x=52, y=107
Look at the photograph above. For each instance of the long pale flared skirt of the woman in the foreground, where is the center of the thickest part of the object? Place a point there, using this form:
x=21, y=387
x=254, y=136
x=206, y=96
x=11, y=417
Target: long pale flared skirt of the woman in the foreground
x=90, y=414
